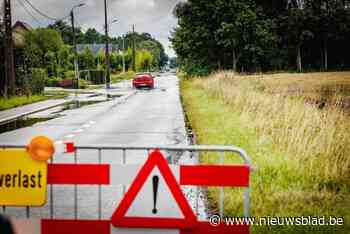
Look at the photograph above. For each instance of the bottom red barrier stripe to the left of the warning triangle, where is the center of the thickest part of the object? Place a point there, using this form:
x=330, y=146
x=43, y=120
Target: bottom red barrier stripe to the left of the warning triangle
x=75, y=226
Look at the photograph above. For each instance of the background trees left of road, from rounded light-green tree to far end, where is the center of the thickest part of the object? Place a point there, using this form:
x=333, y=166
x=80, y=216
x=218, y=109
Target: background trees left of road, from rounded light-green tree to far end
x=51, y=48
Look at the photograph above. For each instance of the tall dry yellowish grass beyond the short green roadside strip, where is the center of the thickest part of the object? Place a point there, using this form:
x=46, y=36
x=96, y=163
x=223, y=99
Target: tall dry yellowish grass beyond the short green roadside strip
x=316, y=140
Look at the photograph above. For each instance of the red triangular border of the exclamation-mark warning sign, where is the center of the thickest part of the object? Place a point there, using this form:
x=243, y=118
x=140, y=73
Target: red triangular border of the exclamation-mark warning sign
x=155, y=161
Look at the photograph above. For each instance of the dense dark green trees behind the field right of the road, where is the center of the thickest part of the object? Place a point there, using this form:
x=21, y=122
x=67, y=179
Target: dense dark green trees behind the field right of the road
x=264, y=35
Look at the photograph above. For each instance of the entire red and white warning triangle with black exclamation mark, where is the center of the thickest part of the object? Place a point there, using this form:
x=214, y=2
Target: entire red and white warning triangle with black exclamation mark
x=154, y=199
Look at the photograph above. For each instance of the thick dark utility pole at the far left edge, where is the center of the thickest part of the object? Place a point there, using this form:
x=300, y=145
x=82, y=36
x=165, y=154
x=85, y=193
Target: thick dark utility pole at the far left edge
x=9, y=59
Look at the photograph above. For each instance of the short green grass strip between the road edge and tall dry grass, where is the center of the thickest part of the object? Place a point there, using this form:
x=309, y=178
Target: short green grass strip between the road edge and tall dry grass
x=277, y=189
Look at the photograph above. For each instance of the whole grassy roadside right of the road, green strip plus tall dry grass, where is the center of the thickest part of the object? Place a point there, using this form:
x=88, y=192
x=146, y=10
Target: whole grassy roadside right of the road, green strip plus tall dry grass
x=301, y=152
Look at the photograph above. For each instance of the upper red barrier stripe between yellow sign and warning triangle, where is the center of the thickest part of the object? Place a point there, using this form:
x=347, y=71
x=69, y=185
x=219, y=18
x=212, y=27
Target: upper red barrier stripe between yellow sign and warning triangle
x=78, y=174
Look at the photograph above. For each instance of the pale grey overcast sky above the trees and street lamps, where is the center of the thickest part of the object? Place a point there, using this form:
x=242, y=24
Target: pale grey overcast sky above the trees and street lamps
x=152, y=16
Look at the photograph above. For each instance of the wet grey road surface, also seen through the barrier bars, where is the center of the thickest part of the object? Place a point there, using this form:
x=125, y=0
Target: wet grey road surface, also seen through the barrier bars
x=146, y=117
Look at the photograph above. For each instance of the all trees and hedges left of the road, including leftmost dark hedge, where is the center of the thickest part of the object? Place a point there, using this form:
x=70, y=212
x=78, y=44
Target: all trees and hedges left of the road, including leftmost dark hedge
x=48, y=52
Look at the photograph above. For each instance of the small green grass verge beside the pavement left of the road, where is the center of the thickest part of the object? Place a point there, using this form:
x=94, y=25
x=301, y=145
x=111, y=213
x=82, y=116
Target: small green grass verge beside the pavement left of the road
x=20, y=101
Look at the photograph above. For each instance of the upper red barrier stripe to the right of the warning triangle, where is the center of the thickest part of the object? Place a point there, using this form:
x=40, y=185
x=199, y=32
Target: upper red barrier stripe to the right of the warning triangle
x=206, y=175
